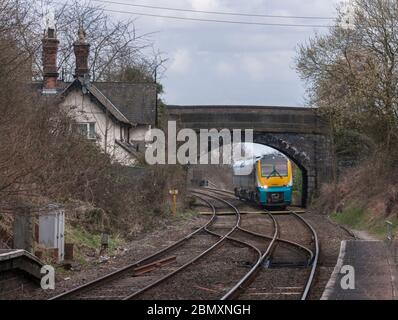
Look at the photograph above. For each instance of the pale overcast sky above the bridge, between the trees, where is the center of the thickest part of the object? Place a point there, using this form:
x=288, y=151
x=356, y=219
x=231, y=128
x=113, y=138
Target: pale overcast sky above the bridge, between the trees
x=212, y=63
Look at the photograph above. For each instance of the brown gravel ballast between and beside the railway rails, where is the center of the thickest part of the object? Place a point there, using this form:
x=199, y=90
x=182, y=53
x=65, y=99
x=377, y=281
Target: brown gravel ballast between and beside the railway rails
x=211, y=277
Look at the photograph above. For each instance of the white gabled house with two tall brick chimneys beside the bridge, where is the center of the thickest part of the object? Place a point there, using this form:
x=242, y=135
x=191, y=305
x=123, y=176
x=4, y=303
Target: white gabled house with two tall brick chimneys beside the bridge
x=115, y=115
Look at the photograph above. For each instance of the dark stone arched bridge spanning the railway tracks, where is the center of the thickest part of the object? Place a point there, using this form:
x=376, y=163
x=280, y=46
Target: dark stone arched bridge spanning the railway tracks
x=299, y=133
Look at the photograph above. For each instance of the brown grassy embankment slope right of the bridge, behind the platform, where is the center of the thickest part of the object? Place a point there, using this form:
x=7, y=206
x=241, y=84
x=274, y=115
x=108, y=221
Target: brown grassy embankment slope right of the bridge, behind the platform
x=364, y=198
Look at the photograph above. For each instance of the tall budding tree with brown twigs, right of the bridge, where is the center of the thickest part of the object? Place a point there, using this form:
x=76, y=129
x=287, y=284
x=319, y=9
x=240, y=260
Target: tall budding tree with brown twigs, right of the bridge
x=352, y=74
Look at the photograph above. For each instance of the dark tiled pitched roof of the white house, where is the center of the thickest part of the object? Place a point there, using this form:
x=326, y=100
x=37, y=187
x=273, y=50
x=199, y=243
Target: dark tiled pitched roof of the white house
x=129, y=103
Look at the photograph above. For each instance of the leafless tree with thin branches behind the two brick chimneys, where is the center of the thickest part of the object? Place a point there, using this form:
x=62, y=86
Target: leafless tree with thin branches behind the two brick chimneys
x=115, y=43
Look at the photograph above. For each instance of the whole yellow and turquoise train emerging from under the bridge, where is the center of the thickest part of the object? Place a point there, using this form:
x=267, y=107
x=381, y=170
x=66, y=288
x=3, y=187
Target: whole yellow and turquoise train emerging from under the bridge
x=270, y=182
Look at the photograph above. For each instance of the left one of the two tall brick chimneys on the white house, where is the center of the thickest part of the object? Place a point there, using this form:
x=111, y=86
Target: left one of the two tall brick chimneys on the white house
x=50, y=70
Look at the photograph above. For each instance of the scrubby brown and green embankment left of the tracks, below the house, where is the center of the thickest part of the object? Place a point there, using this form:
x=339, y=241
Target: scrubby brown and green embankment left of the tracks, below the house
x=143, y=207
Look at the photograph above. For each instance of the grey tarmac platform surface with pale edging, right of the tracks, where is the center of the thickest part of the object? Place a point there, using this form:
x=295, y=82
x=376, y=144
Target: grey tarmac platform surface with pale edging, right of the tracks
x=375, y=272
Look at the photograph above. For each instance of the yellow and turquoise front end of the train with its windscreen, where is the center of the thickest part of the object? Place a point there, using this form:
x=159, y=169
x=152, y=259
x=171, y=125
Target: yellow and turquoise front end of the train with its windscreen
x=275, y=181
